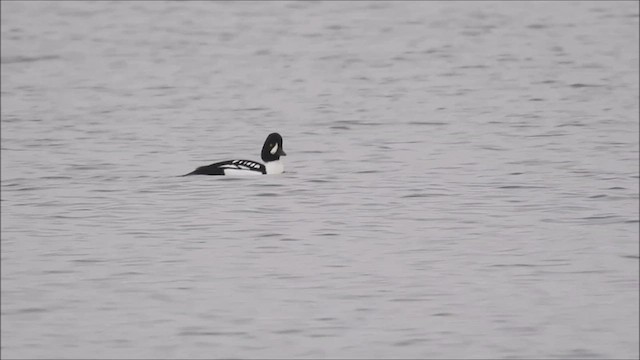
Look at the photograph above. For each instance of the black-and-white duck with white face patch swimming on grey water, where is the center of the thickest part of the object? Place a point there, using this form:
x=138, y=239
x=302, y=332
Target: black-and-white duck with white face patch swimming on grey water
x=271, y=152
